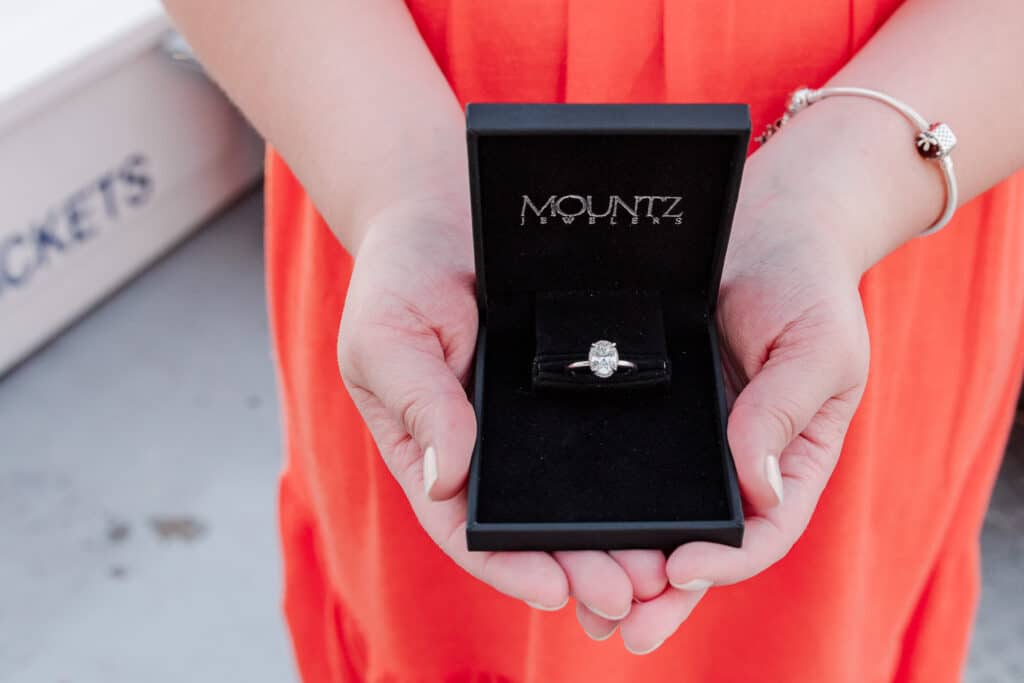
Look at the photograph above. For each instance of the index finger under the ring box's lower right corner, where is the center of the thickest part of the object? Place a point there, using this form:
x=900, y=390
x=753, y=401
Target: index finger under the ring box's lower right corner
x=769, y=538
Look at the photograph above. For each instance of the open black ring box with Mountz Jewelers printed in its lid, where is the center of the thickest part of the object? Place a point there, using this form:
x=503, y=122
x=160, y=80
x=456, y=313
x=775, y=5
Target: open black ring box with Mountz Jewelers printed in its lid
x=602, y=222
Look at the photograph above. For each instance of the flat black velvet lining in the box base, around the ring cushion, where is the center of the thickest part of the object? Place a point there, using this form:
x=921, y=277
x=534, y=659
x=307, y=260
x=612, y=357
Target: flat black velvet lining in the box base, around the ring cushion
x=624, y=456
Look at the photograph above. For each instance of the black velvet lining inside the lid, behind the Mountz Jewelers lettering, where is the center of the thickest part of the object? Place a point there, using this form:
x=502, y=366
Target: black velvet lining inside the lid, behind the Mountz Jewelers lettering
x=520, y=253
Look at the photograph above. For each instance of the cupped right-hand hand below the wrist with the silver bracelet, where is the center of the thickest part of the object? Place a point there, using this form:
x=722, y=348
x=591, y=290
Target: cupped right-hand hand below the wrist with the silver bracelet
x=795, y=355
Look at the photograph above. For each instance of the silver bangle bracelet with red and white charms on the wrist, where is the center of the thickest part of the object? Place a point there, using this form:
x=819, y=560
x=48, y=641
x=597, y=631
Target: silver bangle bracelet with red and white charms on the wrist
x=934, y=142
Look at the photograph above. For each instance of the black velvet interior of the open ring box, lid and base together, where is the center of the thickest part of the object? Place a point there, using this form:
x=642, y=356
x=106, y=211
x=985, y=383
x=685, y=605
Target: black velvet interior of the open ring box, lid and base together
x=629, y=455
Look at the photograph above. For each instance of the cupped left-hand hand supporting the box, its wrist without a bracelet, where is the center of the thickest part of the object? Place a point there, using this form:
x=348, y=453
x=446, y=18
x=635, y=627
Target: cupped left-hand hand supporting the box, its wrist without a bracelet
x=405, y=349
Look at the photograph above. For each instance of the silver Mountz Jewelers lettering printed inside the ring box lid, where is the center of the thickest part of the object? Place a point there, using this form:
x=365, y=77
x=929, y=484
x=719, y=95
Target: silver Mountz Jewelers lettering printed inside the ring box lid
x=609, y=210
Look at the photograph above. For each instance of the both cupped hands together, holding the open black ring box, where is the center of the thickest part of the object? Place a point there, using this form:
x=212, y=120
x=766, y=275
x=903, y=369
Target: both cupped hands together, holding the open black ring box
x=795, y=355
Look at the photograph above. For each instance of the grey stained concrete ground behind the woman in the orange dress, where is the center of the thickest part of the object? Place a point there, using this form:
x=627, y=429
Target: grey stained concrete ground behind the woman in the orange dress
x=138, y=471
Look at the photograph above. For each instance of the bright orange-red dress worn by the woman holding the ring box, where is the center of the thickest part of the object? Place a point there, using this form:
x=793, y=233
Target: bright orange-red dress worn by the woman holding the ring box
x=882, y=587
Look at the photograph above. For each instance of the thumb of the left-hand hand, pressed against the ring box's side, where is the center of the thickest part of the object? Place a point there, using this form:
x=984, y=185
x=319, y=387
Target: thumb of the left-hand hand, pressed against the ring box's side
x=409, y=375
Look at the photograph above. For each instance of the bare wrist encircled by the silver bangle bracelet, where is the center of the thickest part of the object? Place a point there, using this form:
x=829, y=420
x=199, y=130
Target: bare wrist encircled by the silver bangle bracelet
x=851, y=166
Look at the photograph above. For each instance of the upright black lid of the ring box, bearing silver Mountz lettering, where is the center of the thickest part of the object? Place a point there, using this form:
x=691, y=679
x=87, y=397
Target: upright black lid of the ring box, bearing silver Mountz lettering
x=580, y=197
